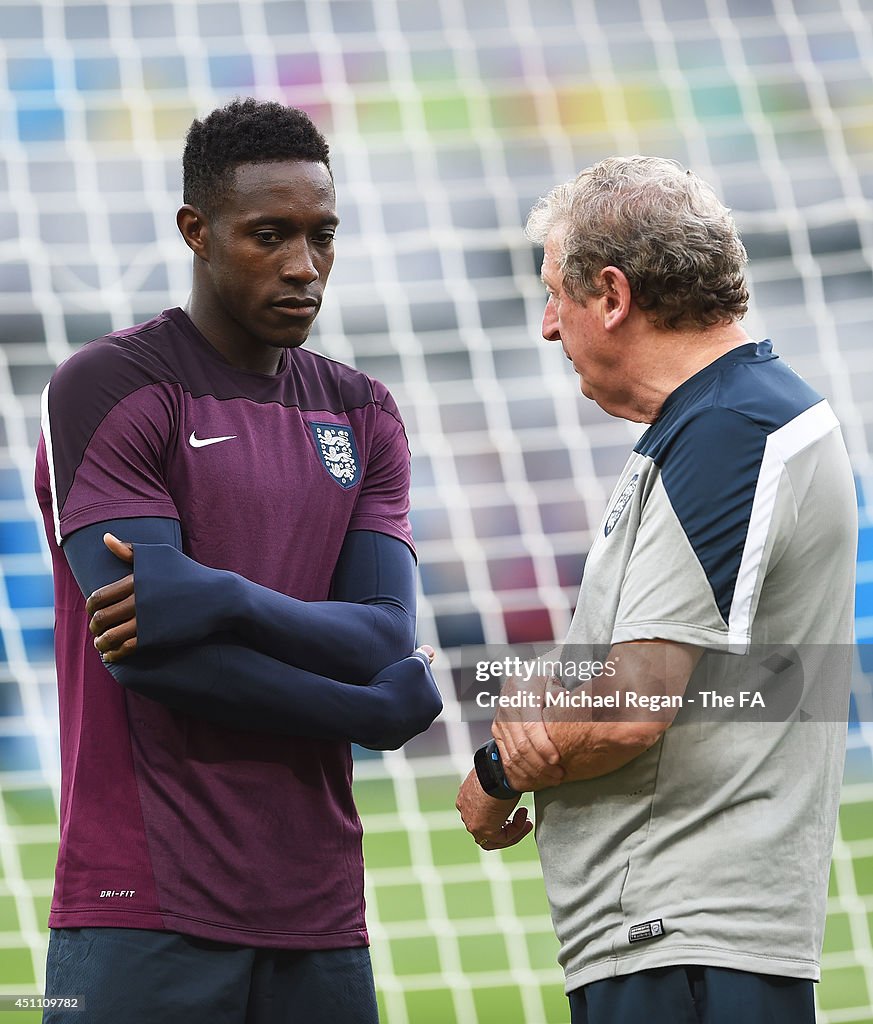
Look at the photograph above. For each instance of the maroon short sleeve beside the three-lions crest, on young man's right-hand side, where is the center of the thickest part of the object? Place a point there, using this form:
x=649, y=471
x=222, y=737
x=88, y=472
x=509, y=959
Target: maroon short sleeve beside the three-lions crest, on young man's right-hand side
x=383, y=504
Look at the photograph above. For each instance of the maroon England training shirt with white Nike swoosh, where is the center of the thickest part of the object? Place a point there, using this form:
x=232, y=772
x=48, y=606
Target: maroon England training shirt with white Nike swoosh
x=167, y=822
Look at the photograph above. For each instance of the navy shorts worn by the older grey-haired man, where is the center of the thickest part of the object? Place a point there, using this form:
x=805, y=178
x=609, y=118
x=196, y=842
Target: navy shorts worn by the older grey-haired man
x=694, y=996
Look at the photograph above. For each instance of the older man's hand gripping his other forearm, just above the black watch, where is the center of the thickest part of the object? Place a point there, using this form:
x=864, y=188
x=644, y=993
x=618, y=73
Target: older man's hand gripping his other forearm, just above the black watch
x=532, y=761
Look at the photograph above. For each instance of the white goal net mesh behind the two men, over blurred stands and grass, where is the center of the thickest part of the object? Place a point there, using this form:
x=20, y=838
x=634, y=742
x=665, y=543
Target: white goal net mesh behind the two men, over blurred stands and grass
x=447, y=121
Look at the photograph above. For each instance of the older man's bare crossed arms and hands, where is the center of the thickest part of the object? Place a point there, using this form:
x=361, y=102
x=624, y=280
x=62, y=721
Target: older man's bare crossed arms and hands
x=572, y=745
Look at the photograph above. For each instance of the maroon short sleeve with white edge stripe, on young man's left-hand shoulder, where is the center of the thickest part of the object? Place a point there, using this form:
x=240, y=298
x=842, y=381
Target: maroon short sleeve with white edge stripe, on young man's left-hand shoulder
x=106, y=430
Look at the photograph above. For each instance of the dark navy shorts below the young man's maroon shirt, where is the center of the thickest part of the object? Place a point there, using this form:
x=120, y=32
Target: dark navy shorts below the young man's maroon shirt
x=142, y=977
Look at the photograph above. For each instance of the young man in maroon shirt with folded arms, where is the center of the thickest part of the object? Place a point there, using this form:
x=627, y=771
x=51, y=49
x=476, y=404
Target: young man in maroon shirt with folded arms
x=210, y=864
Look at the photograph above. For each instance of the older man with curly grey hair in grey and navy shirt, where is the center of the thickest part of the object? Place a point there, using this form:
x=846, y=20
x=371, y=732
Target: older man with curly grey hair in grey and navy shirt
x=686, y=800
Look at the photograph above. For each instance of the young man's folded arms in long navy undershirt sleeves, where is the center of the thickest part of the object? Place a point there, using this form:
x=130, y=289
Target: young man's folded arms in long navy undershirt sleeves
x=217, y=647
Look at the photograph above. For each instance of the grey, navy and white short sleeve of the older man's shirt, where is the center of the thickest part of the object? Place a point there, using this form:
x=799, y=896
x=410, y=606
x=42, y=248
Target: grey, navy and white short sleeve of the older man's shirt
x=694, y=547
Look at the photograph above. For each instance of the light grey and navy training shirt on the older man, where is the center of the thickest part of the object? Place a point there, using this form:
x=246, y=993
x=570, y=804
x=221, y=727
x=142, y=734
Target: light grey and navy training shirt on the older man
x=733, y=528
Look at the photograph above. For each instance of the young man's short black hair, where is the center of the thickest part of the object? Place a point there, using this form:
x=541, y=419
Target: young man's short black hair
x=246, y=132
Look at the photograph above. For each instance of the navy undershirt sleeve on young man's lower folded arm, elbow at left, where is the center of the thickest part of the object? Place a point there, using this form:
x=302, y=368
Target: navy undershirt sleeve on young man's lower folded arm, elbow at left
x=236, y=687
